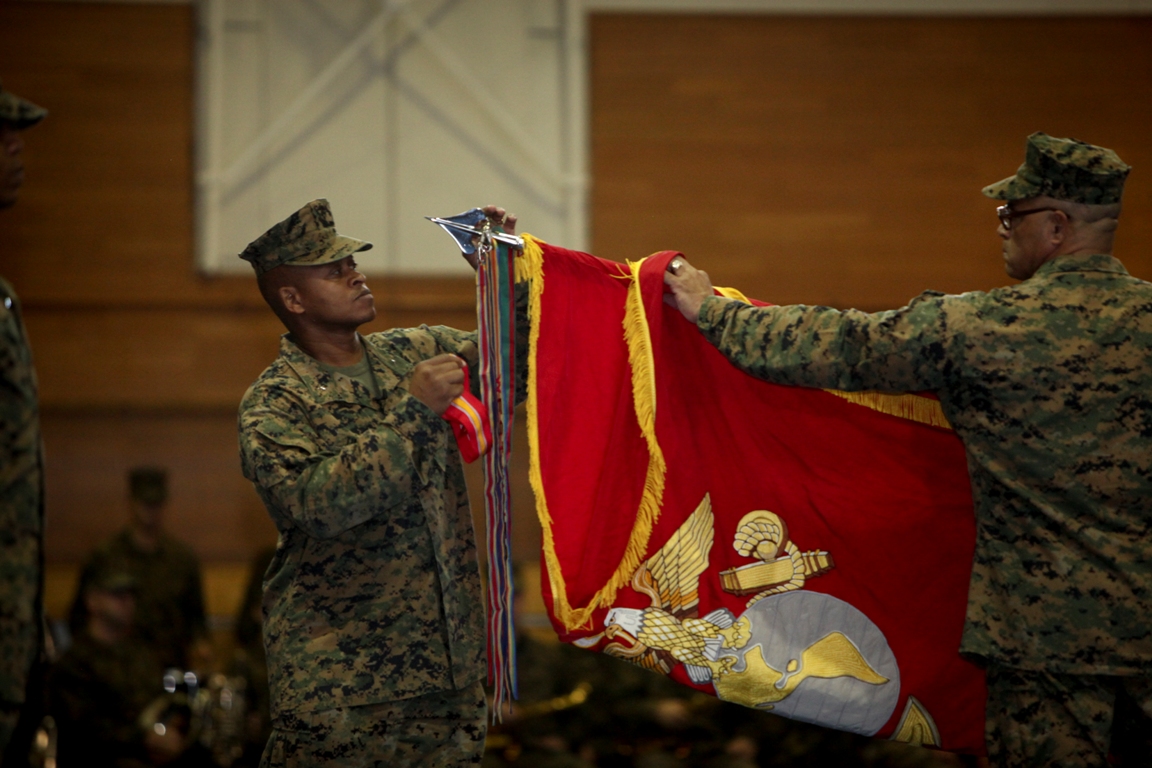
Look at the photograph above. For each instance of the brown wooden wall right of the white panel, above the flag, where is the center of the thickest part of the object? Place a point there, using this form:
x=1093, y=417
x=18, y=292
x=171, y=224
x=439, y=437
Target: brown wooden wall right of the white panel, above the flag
x=839, y=161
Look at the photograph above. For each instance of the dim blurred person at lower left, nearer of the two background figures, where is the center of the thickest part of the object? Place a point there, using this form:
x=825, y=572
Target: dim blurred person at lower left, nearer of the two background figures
x=105, y=680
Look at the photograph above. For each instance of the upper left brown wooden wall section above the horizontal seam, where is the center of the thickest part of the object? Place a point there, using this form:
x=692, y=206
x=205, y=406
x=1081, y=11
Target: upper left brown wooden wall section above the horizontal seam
x=109, y=189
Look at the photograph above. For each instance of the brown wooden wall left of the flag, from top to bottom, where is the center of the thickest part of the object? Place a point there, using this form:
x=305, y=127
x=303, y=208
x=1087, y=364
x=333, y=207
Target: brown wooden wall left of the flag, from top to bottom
x=141, y=360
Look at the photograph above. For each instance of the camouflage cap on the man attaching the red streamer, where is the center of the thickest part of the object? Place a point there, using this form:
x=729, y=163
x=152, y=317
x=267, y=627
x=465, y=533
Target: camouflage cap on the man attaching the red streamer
x=305, y=239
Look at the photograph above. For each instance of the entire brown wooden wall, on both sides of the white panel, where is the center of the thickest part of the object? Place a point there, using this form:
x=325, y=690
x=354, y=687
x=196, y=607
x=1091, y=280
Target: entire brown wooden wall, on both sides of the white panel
x=802, y=159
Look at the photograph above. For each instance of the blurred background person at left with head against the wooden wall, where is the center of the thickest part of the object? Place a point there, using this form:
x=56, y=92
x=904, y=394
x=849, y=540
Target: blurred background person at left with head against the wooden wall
x=170, y=600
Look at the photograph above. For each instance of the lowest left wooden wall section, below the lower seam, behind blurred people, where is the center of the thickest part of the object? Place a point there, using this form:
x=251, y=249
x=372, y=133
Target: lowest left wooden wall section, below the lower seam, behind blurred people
x=211, y=506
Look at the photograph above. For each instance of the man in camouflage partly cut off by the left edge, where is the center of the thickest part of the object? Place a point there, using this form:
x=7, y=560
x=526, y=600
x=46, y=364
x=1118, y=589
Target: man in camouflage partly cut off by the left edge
x=22, y=635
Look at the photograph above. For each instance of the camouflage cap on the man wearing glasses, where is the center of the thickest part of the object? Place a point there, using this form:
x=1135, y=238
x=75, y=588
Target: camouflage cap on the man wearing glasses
x=1067, y=170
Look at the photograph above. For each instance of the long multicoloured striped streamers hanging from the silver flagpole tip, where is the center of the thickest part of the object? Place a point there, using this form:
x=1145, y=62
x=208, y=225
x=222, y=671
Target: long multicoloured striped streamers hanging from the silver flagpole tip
x=496, y=318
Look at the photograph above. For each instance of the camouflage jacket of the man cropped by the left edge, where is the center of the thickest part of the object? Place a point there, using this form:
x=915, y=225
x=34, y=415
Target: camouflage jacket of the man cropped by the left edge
x=21, y=504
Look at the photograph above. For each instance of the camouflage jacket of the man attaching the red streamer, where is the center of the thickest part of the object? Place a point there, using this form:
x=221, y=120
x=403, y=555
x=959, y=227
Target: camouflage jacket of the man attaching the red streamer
x=374, y=594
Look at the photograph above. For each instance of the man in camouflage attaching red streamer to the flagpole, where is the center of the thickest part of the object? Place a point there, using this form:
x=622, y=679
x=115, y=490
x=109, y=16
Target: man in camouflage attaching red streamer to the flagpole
x=374, y=619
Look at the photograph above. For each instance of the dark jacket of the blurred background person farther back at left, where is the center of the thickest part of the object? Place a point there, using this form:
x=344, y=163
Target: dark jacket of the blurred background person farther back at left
x=170, y=595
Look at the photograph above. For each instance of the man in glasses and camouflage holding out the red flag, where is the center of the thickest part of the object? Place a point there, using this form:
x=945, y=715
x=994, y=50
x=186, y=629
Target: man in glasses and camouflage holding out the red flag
x=1049, y=385
